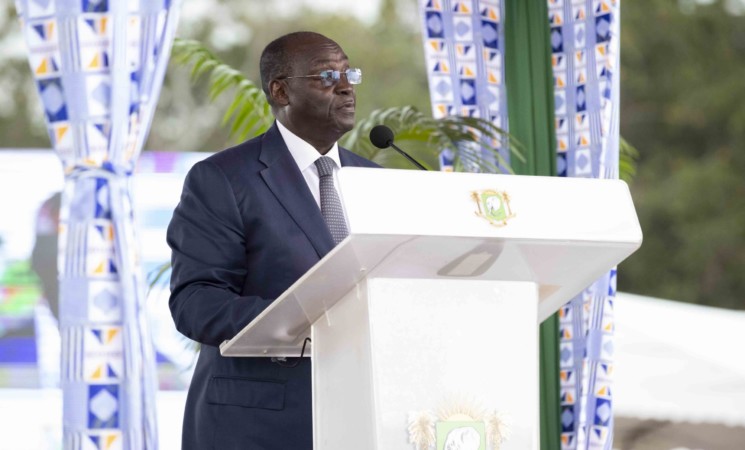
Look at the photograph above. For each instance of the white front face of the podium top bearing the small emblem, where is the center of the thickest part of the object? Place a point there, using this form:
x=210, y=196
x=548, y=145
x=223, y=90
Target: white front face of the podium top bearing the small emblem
x=387, y=201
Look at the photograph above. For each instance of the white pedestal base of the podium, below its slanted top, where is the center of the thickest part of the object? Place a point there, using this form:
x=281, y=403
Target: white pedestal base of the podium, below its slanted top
x=457, y=352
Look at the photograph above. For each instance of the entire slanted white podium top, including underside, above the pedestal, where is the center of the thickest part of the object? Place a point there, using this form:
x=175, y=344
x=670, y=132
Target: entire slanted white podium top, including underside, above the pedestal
x=561, y=233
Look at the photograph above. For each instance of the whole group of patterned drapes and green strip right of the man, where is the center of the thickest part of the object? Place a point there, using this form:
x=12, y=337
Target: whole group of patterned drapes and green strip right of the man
x=569, y=128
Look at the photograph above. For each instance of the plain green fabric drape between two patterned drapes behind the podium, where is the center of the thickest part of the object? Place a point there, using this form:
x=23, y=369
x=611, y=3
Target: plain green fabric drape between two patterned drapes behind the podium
x=530, y=102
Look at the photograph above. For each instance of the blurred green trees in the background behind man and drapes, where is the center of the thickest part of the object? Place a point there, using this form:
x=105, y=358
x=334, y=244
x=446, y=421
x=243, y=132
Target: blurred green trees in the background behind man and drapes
x=683, y=108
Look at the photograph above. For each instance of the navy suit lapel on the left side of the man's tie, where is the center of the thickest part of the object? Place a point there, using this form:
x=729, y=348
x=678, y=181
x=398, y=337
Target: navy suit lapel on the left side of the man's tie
x=287, y=183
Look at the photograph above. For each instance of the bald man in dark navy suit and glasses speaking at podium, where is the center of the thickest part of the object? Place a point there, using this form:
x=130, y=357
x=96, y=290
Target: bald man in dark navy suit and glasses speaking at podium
x=249, y=225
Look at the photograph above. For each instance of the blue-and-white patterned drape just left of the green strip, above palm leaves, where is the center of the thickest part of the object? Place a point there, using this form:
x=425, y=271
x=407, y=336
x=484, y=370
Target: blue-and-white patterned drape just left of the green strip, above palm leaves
x=463, y=48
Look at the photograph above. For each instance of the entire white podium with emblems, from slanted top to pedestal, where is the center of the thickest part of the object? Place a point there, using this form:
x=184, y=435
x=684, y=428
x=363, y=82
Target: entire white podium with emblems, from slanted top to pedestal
x=424, y=321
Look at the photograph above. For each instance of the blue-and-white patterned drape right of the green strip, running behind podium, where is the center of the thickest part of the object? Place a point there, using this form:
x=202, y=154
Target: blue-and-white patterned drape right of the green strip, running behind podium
x=585, y=60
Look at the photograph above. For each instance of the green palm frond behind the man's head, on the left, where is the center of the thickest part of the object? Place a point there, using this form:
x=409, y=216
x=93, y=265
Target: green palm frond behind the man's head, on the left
x=249, y=113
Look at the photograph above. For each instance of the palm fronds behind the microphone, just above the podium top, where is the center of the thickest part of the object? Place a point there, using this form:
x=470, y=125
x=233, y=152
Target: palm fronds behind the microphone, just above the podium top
x=473, y=142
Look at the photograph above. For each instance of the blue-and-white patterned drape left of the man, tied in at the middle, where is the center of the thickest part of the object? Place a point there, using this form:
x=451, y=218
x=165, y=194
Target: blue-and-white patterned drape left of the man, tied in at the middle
x=98, y=66
